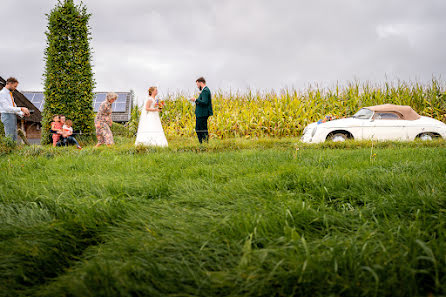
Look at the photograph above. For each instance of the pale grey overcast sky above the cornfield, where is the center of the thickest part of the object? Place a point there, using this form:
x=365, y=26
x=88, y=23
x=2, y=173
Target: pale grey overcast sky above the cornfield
x=237, y=44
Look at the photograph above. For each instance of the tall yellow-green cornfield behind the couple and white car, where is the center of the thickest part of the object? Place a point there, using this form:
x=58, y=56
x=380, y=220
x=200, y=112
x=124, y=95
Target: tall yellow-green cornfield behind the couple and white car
x=286, y=113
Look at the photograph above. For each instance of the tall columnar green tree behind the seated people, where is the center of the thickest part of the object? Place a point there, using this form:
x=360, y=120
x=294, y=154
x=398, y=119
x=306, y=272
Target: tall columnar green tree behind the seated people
x=68, y=75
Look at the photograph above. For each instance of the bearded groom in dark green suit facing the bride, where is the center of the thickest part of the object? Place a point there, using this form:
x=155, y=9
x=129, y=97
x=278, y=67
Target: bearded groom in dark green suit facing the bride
x=203, y=110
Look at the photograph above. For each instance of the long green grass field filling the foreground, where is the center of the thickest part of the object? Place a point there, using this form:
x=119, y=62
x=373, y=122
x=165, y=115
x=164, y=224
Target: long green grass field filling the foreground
x=233, y=218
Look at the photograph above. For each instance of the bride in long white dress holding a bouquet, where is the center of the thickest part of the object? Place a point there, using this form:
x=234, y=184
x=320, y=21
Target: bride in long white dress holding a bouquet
x=150, y=130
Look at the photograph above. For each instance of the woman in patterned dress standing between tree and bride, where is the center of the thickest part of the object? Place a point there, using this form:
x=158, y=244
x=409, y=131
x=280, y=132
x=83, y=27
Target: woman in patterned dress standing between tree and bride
x=103, y=121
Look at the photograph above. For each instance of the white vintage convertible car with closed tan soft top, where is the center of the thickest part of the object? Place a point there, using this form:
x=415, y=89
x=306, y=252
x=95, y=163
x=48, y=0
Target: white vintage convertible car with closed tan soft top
x=380, y=122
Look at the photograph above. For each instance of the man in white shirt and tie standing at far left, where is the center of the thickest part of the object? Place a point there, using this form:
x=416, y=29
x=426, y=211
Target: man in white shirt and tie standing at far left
x=9, y=109
